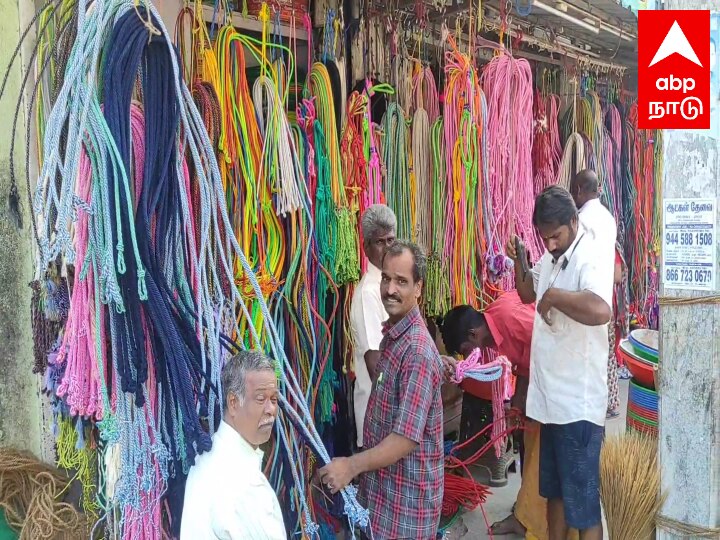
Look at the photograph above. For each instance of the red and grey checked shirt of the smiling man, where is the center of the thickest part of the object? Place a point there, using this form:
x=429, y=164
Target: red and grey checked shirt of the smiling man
x=405, y=499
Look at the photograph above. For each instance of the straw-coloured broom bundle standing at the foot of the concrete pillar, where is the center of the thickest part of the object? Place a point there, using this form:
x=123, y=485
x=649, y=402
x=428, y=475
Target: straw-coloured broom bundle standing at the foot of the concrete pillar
x=630, y=486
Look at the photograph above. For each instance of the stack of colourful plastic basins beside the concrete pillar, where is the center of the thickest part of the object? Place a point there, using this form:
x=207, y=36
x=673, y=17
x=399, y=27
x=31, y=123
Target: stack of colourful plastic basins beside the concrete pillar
x=640, y=354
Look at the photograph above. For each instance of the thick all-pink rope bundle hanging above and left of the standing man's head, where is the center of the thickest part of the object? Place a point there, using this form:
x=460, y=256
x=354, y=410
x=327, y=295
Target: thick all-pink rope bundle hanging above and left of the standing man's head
x=507, y=83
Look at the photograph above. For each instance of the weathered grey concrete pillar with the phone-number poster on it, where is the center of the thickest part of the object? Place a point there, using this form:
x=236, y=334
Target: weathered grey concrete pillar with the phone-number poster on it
x=689, y=442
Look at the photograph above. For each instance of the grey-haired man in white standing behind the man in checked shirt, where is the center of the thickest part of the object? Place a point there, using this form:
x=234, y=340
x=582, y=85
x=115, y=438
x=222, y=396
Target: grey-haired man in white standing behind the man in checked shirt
x=367, y=312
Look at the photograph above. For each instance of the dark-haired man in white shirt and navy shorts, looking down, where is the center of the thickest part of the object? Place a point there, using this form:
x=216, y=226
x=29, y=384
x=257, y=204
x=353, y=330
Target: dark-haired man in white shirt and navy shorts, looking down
x=567, y=393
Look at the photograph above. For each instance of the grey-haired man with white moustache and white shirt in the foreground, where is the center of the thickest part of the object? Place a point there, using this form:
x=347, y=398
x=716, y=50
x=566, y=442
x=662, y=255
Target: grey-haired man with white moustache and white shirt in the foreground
x=227, y=496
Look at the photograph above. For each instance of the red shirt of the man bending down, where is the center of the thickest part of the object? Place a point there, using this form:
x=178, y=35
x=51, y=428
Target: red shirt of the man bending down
x=510, y=323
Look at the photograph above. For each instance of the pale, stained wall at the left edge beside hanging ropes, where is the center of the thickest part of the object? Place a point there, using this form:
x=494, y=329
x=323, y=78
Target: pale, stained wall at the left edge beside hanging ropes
x=20, y=404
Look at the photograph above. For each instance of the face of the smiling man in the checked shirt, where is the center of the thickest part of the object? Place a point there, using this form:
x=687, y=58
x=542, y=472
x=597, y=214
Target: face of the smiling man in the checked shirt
x=399, y=291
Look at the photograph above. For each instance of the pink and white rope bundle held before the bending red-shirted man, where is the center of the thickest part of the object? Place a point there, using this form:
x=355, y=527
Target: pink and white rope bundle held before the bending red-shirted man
x=501, y=389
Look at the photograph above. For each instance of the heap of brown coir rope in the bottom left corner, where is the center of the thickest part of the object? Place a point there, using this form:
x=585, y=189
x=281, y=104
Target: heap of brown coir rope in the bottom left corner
x=31, y=498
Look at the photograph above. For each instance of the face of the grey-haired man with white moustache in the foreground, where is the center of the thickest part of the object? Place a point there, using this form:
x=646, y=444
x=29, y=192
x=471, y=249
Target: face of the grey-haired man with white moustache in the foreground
x=254, y=416
